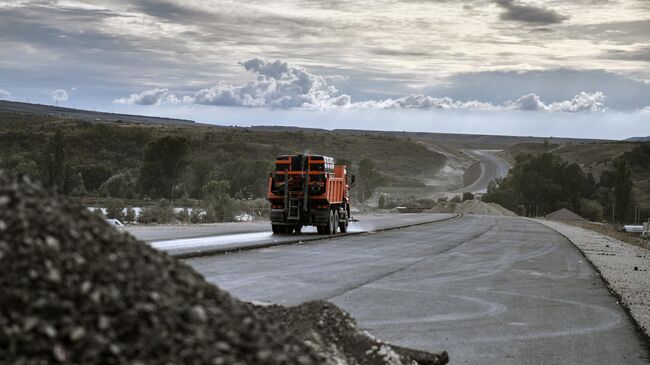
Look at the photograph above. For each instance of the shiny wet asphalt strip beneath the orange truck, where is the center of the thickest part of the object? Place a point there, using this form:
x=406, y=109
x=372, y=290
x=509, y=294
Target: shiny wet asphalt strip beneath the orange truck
x=189, y=240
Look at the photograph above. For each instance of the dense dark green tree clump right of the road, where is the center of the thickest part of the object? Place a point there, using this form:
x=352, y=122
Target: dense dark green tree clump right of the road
x=542, y=183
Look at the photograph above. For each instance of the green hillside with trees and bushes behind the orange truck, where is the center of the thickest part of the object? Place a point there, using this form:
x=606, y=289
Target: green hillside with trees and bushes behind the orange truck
x=217, y=173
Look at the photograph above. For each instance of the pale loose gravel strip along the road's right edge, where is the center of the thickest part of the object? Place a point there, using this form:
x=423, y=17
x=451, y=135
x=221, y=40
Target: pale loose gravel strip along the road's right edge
x=625, y=267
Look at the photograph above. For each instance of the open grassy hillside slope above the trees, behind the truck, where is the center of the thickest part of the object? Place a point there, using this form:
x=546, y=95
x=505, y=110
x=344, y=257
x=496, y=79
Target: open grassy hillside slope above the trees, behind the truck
x=118, y=146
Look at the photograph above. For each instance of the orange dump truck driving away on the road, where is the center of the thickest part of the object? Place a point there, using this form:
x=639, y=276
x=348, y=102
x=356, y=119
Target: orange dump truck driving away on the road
x=309, y=190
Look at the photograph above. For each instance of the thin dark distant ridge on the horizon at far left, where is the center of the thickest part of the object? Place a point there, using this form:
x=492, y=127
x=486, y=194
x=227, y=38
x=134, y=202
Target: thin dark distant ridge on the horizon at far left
x=69, y=113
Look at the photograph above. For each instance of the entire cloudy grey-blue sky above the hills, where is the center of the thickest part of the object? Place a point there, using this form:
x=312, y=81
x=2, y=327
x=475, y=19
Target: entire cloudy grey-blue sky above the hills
x=527, y=67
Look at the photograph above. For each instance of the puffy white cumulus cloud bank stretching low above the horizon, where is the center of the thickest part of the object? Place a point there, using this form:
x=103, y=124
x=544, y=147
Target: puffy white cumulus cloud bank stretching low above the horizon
x=281, y=85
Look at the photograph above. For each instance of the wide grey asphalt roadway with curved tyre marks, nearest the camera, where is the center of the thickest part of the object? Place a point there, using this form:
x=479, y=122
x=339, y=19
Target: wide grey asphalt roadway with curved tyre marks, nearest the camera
x=489, y=290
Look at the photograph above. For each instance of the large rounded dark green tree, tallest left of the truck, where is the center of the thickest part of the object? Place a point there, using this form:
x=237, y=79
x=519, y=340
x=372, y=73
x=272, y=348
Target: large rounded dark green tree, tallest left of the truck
x=164, y=162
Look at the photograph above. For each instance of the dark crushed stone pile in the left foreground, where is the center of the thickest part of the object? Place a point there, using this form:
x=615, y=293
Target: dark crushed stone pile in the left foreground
x=74, y=290
